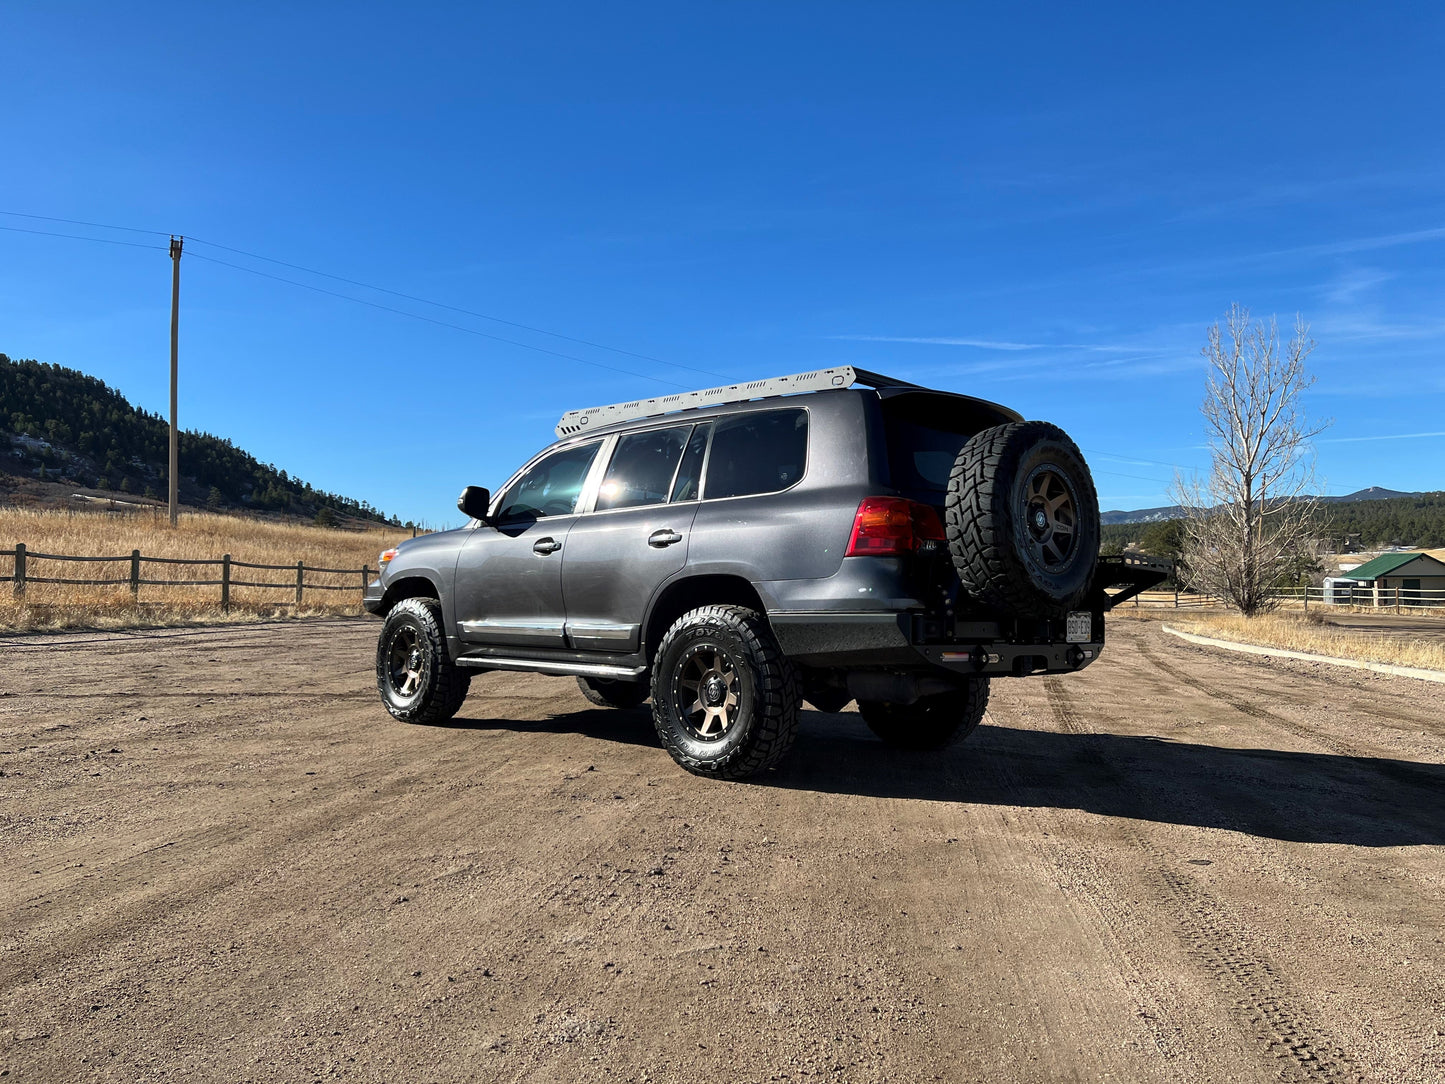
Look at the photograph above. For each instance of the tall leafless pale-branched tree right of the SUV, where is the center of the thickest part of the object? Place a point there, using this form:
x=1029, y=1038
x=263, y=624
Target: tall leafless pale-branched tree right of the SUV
x=1254, y=518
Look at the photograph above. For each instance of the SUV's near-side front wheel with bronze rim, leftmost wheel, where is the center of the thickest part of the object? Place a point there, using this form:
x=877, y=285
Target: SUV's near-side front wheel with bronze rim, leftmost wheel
x=439, y=686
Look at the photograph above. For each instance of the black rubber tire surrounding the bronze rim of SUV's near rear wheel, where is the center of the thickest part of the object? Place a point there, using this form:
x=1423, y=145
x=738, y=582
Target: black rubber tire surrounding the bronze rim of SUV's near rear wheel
x=777, y=684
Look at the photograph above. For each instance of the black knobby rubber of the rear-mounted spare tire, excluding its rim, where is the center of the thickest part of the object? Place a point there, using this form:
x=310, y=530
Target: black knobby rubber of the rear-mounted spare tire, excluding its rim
x=979, y=520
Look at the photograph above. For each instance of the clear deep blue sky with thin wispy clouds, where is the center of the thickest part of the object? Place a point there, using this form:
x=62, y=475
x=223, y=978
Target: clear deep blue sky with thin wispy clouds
x=1038, y=205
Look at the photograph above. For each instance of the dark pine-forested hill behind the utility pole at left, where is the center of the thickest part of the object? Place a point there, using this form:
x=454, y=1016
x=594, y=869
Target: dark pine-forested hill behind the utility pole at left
x=63, y=426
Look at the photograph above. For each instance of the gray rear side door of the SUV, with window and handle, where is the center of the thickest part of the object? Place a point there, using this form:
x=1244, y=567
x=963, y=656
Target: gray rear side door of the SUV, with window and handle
x=635, y=538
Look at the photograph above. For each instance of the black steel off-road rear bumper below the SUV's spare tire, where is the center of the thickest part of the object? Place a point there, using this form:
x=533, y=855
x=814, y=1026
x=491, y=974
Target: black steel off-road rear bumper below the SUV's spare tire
x=900, y=641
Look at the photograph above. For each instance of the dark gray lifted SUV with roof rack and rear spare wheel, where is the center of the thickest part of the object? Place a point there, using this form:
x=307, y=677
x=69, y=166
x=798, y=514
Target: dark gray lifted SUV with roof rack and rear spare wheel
x=733, y=553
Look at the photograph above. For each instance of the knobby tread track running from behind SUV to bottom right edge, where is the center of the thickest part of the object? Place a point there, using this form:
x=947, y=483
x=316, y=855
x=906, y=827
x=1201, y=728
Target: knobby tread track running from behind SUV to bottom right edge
x=1248, y=979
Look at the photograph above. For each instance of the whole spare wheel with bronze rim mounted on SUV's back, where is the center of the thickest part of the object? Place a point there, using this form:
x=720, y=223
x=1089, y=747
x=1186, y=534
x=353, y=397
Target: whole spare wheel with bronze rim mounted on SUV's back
x=1024, y=520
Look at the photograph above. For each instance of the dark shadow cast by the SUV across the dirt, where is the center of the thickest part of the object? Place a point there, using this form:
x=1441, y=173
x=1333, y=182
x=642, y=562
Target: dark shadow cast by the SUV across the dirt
x=1275, y=794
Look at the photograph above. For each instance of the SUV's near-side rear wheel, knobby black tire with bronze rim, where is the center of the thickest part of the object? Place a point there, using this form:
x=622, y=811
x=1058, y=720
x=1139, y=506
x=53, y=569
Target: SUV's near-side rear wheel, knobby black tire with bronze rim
x=768, y=693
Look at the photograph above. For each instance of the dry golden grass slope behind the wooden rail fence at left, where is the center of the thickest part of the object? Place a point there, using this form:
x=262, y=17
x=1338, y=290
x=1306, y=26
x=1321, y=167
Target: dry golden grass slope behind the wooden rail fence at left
x=197, y=537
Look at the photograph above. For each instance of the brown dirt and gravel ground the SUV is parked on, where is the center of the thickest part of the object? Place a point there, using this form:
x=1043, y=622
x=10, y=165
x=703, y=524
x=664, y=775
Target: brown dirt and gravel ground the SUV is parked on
x=225, y=862
